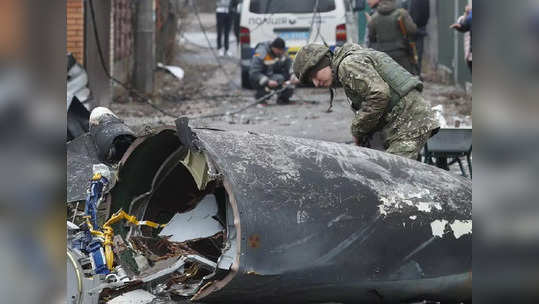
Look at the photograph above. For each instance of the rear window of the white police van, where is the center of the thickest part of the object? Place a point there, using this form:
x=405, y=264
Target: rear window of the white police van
x=294, y=7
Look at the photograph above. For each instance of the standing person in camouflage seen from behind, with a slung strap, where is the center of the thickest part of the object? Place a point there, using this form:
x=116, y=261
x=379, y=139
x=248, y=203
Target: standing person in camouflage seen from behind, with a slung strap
x=385, y=34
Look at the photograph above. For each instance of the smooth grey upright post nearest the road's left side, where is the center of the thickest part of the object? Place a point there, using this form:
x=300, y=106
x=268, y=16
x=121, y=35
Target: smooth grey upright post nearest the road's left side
x=144, y=46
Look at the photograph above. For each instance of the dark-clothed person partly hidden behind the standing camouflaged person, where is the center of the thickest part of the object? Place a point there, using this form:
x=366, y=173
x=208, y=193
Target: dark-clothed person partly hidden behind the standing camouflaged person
x=420, y=12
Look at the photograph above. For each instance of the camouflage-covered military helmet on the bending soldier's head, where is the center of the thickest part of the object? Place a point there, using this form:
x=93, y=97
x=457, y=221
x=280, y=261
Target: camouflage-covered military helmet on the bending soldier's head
x=307, y=58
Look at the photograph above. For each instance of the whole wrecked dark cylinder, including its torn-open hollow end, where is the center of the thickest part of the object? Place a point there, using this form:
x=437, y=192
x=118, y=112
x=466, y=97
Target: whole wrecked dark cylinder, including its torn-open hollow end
x=301, y=220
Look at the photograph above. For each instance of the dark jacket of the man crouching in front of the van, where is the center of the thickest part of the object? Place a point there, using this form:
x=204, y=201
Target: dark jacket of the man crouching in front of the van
x=264, y=64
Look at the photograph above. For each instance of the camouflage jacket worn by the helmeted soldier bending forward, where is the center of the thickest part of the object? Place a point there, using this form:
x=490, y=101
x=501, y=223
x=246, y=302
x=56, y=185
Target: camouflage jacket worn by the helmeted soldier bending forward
x=358, y=70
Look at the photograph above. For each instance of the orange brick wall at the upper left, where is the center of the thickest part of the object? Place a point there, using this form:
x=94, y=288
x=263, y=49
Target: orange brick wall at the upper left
x=75, y=29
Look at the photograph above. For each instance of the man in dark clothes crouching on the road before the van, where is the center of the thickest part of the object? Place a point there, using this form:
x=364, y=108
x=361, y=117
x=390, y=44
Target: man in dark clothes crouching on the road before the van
x=270, y=70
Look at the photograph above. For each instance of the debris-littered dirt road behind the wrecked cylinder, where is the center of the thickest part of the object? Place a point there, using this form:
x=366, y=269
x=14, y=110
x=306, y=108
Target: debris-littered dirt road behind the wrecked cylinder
x=212, y=85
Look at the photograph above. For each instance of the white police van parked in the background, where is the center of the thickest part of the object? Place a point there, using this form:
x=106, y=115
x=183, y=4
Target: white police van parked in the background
x=298, y=22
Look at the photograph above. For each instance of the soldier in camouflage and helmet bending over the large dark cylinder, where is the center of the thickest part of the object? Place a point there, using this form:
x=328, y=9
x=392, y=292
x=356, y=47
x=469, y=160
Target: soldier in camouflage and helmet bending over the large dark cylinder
x=384, y=96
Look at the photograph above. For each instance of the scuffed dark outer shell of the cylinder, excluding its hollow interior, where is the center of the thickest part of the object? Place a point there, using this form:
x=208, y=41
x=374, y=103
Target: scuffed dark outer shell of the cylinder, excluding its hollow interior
x=323, y=216
